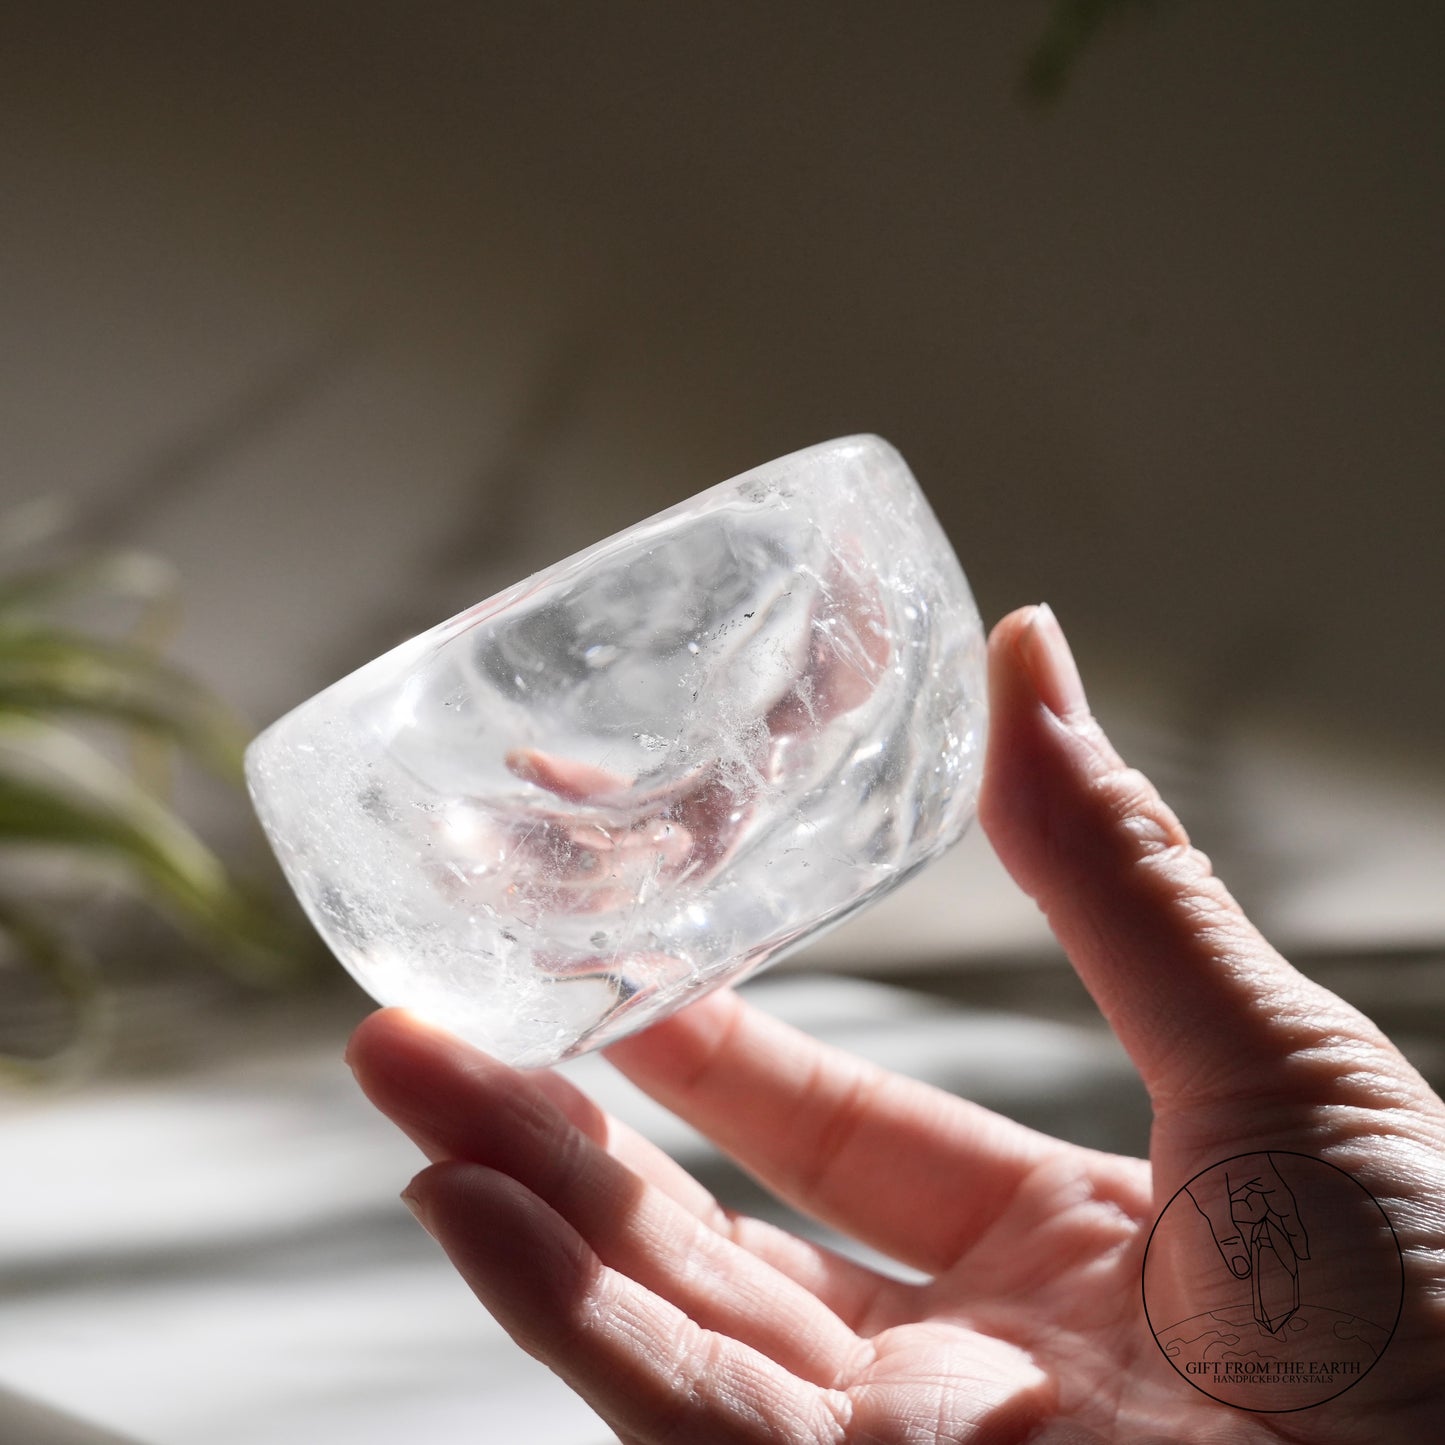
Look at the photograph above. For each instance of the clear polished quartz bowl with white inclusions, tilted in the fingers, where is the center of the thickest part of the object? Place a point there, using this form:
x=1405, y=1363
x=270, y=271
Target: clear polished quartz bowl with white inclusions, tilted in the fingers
x=648, y=771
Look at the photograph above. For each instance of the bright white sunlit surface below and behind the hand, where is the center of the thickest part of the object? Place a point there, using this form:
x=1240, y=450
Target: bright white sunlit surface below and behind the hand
x=223, y=1261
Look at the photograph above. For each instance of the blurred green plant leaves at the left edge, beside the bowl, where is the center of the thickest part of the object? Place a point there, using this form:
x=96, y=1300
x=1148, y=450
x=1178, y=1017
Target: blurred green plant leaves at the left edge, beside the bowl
x=69, y=690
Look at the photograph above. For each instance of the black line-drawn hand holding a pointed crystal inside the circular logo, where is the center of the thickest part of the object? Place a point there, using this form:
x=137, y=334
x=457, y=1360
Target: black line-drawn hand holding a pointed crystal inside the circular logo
x=1256, y=1226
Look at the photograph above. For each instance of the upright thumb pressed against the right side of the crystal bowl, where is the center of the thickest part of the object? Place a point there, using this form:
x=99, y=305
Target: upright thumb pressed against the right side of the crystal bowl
x=1206, y=1008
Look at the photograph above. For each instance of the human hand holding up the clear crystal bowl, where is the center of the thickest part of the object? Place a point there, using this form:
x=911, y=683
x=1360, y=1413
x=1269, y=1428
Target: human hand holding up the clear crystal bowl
x=683, y=1323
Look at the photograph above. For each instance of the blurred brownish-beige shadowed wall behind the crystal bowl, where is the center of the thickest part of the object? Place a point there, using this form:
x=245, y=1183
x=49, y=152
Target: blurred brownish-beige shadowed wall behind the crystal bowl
x=361, y=311
